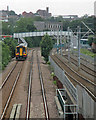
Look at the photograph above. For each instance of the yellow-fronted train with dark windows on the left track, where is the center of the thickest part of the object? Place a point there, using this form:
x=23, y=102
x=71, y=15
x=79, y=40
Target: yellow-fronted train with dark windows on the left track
x=21, y=52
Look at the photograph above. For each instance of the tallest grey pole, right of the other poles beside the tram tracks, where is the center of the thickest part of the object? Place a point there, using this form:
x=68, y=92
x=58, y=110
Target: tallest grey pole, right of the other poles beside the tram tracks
x=79, y=37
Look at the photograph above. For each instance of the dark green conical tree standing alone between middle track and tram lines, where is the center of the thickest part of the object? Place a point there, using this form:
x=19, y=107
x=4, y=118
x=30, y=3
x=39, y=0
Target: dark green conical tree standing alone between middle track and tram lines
x=46, y=46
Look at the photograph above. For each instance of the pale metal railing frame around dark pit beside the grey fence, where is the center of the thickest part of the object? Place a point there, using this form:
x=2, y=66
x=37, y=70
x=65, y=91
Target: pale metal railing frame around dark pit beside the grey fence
x=68, y=109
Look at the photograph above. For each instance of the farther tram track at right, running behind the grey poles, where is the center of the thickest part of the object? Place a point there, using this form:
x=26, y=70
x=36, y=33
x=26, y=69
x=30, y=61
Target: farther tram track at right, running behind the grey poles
x=83, y=66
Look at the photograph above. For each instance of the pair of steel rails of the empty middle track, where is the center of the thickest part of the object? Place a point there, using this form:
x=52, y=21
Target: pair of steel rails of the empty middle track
x=30, y=89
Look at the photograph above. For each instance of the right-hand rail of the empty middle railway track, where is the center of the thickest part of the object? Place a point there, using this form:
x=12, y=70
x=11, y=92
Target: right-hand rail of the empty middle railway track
x=43, y=90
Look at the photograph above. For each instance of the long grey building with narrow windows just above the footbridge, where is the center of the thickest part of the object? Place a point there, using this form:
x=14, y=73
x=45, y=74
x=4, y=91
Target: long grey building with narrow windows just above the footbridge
x=51, y=26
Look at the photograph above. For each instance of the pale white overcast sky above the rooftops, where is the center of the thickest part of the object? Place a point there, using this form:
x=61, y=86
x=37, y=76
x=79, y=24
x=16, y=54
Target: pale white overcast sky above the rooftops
x=56, y=7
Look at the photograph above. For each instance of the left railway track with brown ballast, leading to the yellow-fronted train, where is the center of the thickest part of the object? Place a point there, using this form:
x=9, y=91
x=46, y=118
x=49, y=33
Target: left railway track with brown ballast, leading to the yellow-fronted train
x=11, y=82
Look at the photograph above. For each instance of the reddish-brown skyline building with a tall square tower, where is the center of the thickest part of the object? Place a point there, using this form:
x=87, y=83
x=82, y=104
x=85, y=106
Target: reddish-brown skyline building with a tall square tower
x=44, y=13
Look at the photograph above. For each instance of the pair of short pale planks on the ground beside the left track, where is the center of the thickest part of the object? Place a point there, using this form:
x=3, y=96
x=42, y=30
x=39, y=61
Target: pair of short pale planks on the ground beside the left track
x=15, y=113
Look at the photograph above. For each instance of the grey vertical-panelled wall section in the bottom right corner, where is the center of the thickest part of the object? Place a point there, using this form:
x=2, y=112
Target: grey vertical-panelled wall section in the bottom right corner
x=86, y=104
